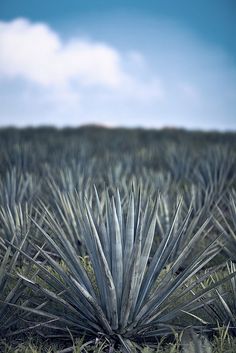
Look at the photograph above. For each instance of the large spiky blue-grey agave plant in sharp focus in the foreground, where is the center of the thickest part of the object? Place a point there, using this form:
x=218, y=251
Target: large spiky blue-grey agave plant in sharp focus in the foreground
x=127, y=296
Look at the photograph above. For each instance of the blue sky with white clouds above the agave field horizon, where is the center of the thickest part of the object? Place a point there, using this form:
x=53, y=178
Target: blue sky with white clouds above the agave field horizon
x=132, y=63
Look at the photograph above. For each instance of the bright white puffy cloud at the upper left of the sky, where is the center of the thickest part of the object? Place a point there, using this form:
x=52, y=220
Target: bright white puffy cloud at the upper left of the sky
x=35, y=52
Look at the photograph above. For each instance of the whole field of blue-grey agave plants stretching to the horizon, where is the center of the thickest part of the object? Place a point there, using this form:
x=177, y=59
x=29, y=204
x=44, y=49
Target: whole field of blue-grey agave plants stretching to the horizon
x=117, y=241
